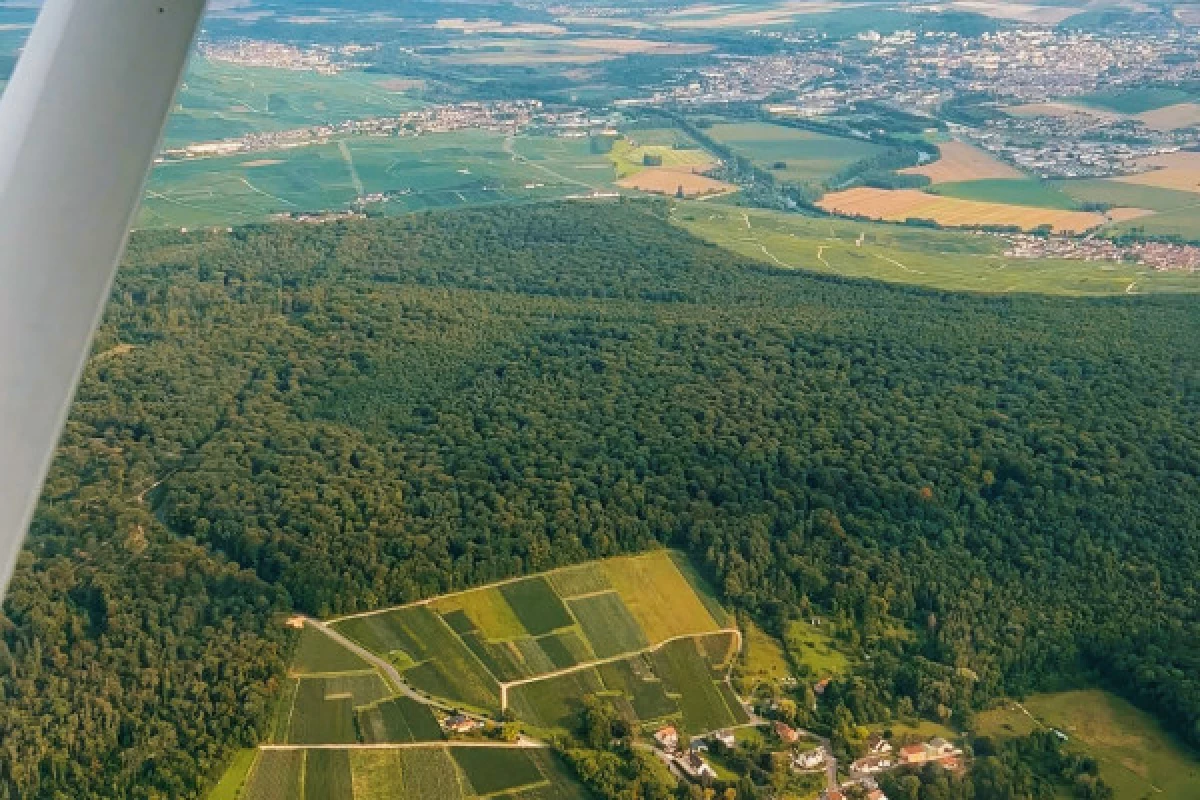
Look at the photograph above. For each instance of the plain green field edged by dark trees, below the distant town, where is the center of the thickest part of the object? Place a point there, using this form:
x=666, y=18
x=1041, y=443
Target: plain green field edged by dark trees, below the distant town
x=809, y=158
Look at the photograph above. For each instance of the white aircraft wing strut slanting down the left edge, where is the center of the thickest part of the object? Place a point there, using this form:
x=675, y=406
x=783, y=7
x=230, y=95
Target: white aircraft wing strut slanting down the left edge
x=81, y=124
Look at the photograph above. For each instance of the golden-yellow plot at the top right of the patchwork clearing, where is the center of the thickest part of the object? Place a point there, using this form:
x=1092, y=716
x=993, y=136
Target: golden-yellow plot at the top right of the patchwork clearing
x=658, y=597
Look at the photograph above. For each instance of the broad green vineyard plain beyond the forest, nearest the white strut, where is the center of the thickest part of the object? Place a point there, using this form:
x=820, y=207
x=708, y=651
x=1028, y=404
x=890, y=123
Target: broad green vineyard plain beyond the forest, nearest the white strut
x=464, y=169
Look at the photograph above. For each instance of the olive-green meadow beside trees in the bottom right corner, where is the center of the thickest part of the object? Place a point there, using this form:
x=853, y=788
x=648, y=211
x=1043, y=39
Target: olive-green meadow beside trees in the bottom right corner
x=1137, y=757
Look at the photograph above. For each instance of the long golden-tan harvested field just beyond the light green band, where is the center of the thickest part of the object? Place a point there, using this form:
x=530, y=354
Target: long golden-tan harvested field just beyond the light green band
x=898, y=206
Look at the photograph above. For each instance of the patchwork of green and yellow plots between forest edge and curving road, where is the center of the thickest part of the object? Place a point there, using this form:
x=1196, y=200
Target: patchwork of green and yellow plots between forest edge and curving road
x=627, y=629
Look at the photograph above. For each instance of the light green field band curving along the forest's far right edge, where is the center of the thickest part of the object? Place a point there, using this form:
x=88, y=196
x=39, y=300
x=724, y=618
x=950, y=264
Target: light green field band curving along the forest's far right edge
x=915, y=256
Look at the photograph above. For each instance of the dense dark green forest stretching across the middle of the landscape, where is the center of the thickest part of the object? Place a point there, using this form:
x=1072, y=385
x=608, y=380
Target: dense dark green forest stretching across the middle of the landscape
x=371, y=412
